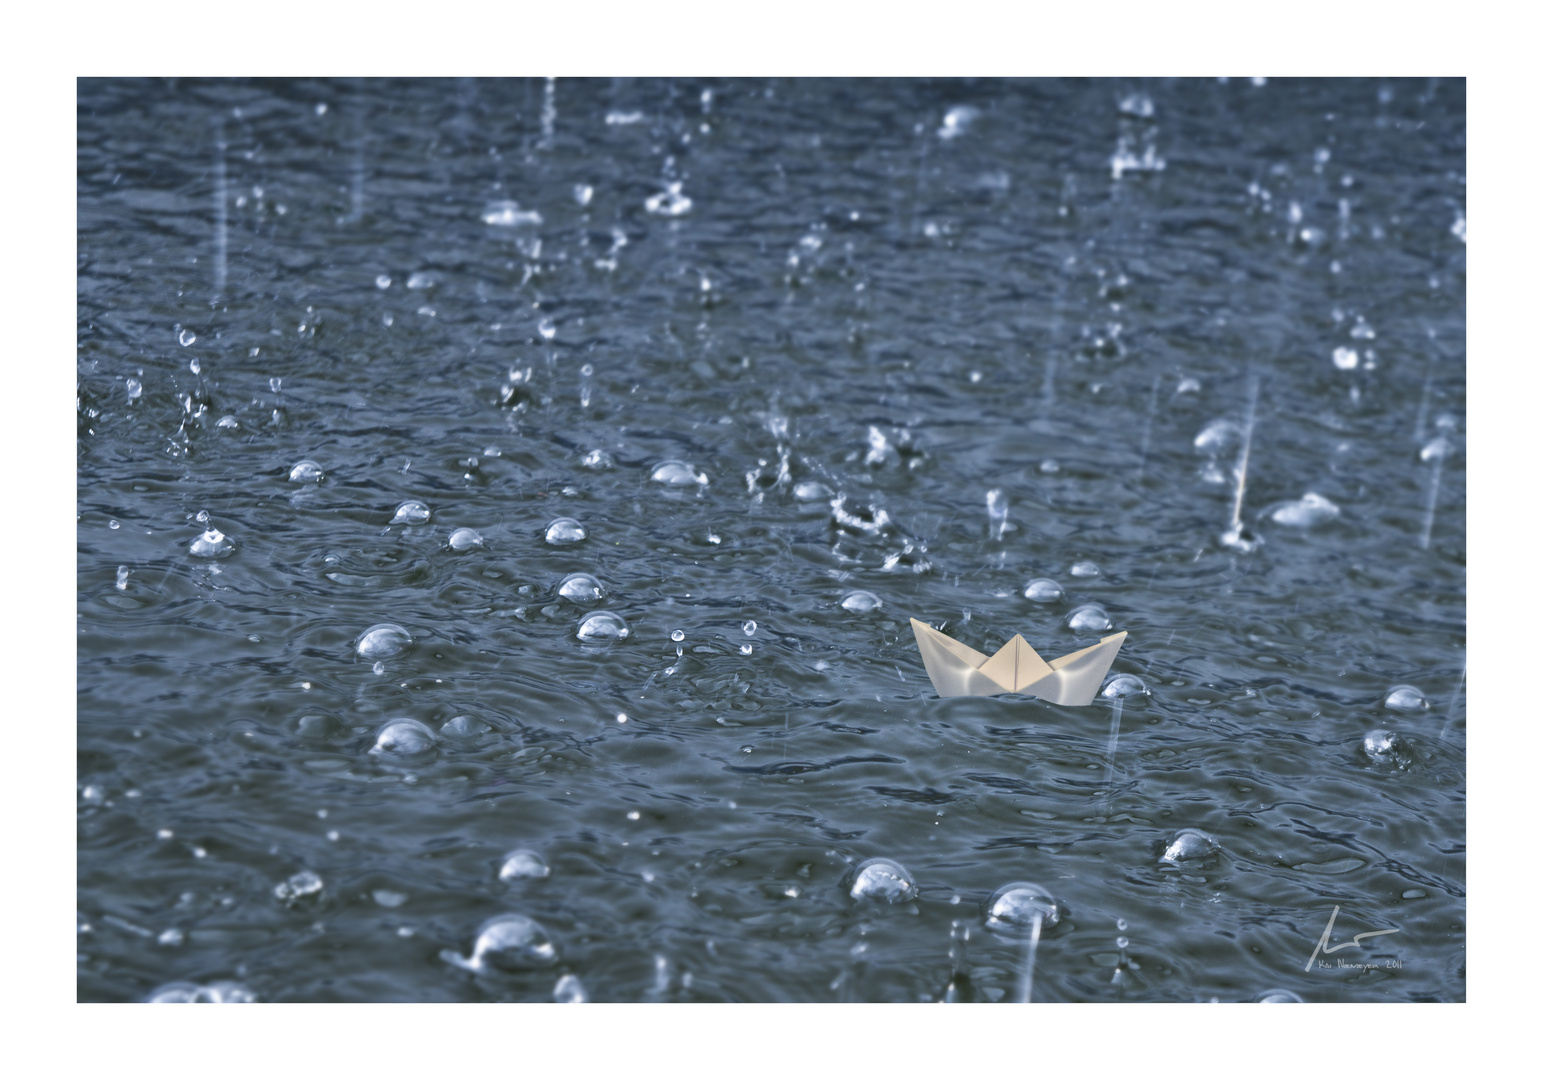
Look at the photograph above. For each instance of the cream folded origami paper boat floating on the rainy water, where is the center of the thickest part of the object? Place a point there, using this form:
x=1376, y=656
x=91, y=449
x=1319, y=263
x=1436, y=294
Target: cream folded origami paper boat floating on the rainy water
x=961, y=672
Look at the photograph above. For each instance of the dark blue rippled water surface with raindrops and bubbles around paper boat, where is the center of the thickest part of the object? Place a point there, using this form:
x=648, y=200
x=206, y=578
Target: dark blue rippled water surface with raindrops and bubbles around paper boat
x=501, y=510
